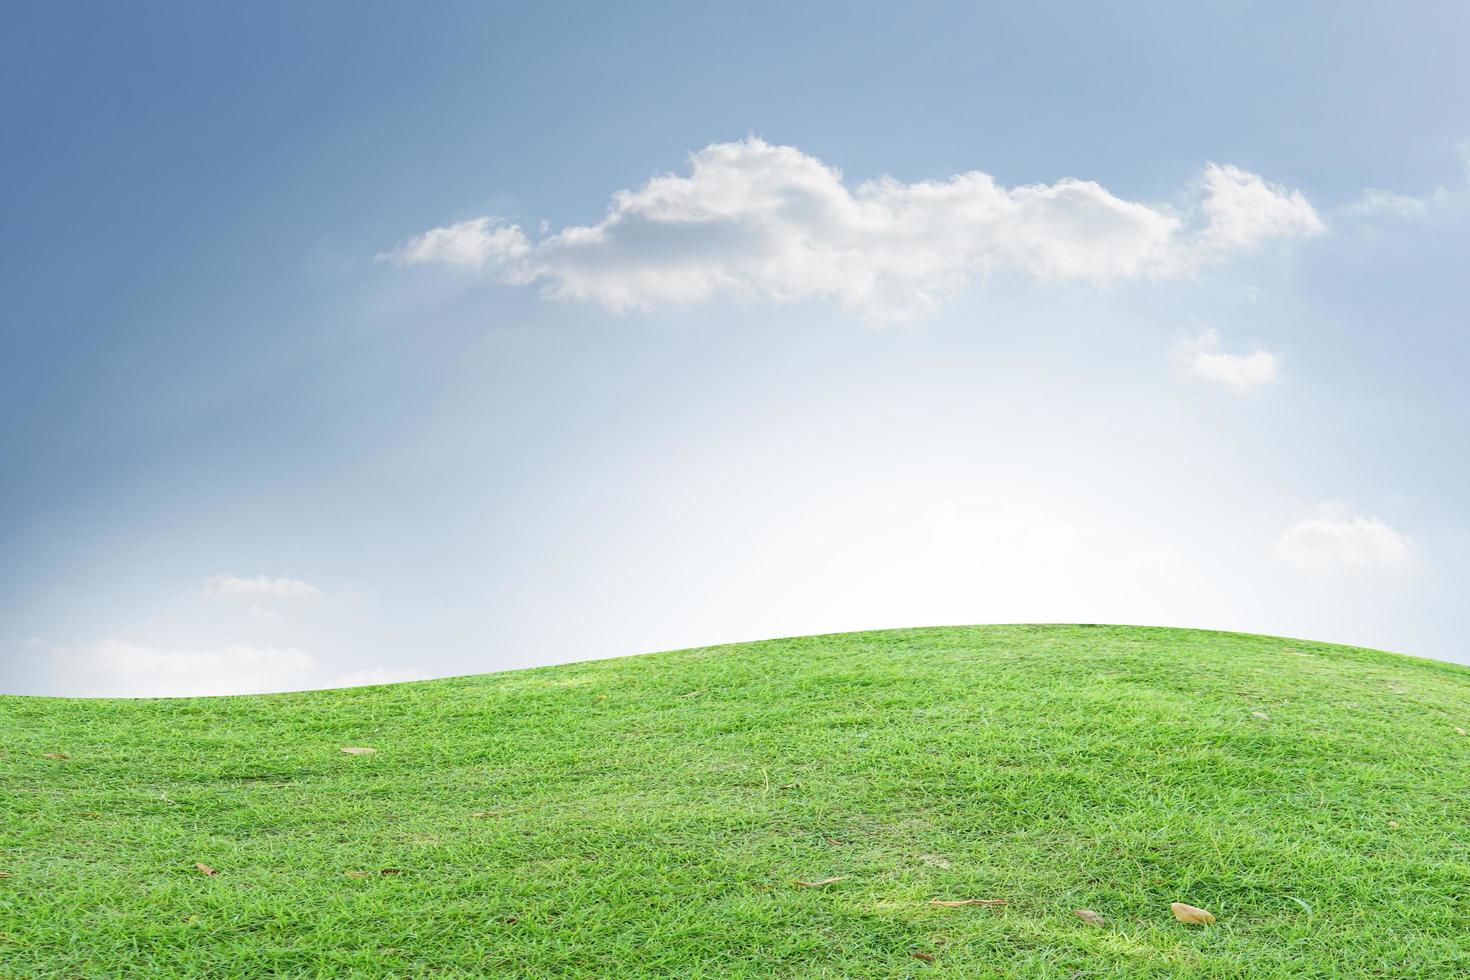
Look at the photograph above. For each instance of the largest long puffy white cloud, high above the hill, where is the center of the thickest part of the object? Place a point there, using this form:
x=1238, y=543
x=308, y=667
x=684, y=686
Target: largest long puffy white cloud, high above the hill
x=755, y=220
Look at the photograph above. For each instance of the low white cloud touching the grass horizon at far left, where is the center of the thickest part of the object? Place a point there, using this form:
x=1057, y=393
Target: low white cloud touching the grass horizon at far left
x=112, y=668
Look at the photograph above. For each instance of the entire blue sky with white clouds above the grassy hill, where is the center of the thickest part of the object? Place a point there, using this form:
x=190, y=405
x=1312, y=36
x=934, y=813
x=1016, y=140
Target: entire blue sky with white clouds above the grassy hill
x=737, y=324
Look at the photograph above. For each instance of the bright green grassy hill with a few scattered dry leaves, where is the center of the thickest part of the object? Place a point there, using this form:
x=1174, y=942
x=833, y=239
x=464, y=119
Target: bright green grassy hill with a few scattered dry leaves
x=649, y=816
